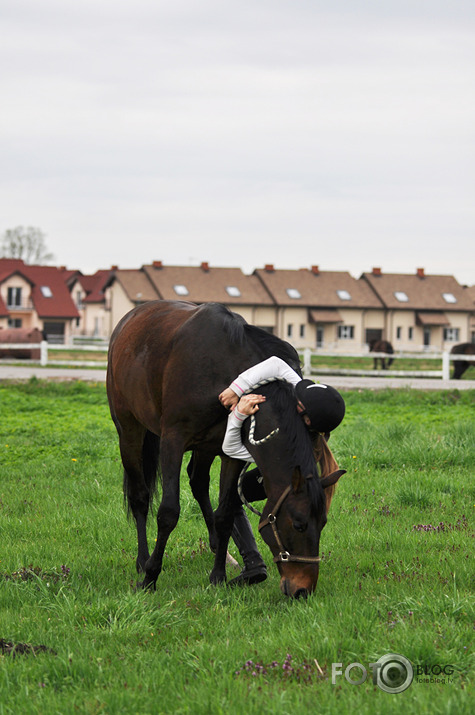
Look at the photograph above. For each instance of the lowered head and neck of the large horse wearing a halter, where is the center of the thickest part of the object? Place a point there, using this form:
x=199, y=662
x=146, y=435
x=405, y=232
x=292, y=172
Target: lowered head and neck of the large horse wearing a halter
x=295, y=512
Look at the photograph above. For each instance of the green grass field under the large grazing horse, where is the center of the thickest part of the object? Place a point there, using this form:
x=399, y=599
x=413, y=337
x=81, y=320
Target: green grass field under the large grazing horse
x=396, y=575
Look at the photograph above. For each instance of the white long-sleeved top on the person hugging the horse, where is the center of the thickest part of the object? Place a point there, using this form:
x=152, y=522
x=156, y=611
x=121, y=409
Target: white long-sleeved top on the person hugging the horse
x=272, y=367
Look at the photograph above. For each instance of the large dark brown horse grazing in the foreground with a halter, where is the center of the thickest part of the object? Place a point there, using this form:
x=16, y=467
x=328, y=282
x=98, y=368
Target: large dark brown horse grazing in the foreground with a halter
x=168, y=361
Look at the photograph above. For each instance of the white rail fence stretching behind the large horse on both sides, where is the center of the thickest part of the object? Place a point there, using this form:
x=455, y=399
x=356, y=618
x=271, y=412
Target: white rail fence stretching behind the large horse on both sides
x=444, y=359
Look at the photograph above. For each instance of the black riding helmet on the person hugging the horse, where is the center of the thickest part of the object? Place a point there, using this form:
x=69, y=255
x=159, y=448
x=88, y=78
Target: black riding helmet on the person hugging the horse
x=323, y=405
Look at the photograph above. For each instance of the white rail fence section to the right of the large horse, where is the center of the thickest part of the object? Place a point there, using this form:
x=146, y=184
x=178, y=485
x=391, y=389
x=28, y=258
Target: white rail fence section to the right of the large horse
x=444, y=359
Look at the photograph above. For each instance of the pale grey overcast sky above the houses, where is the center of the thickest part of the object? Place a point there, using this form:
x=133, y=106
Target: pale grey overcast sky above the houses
x=296, y=132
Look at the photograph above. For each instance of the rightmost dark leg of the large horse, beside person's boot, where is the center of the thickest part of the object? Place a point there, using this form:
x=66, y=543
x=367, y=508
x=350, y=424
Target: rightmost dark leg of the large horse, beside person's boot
x=224, y=515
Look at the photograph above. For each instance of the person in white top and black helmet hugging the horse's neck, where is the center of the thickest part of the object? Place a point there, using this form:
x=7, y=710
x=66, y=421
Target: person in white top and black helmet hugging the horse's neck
x=321, y=407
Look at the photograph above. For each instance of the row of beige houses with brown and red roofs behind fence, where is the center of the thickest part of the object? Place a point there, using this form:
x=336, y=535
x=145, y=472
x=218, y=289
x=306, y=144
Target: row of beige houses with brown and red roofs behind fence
x=330, y=310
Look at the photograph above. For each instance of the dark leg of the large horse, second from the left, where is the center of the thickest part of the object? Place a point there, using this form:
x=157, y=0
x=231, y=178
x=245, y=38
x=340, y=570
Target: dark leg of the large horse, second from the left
x=169, y=509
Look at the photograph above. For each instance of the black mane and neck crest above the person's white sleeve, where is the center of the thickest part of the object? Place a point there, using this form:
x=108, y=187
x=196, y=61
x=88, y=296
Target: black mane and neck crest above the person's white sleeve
x=240, y=333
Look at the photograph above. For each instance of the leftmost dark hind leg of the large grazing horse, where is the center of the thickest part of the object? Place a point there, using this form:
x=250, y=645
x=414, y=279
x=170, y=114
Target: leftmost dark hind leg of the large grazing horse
x=136, y=489
